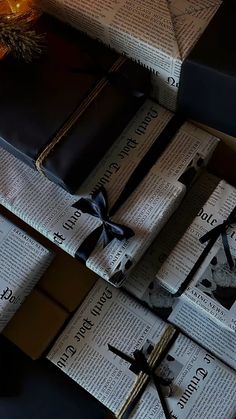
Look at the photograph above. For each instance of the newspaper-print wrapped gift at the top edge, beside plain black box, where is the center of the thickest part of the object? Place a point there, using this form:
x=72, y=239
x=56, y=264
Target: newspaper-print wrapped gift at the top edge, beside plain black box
x=158, y=34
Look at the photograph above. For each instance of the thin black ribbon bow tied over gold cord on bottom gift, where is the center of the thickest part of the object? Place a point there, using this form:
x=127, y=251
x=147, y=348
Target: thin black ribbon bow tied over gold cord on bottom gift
x=139, y=364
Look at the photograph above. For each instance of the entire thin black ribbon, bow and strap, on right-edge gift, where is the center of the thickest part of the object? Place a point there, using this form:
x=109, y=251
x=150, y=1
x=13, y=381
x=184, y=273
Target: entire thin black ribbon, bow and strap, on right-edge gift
x=211, y=237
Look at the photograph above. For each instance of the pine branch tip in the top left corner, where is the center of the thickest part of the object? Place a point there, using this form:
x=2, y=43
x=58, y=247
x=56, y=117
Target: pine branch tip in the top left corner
x=20, y=39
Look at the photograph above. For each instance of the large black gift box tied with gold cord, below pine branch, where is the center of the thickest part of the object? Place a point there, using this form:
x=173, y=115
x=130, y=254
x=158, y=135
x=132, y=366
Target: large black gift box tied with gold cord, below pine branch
x=61, y=113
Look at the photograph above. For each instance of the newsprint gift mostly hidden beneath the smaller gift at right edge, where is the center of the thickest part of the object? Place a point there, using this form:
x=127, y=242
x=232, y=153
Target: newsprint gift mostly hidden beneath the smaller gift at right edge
x=143, y=284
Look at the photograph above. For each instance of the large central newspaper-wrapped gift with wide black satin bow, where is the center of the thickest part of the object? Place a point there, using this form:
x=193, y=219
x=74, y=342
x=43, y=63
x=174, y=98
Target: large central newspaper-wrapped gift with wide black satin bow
x=125, y=202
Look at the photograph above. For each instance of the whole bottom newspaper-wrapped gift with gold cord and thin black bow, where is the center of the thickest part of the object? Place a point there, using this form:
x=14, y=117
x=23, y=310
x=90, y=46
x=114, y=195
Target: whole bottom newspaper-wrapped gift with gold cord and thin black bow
x=103, y=344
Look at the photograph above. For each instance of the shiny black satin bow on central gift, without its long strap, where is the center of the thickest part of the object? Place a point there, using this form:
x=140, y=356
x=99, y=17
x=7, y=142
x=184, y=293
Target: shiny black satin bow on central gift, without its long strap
x=97, y=207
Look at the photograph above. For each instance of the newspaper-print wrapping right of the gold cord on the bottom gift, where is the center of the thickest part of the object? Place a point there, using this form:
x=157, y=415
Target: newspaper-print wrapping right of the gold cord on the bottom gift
x=201, y=386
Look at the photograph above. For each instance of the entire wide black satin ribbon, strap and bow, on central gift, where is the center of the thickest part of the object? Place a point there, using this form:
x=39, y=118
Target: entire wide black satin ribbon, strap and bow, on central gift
x=97, y=206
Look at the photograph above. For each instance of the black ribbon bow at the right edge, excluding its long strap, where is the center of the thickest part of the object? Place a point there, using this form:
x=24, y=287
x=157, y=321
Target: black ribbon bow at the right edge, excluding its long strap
x=221, y=230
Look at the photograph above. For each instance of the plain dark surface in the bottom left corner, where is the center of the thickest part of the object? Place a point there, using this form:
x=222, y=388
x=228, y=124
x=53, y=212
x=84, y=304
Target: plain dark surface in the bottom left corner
x=38, y=390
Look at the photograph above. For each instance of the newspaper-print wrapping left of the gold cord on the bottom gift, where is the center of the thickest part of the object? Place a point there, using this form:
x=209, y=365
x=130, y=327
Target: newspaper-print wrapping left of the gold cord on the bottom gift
x=109, y=317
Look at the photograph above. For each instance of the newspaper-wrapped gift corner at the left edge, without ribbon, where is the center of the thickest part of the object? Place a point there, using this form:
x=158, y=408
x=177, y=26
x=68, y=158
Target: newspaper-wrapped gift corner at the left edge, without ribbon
x=22, y=262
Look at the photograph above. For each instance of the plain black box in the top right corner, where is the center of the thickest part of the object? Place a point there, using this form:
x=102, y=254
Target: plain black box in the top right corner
x=207, y=90
